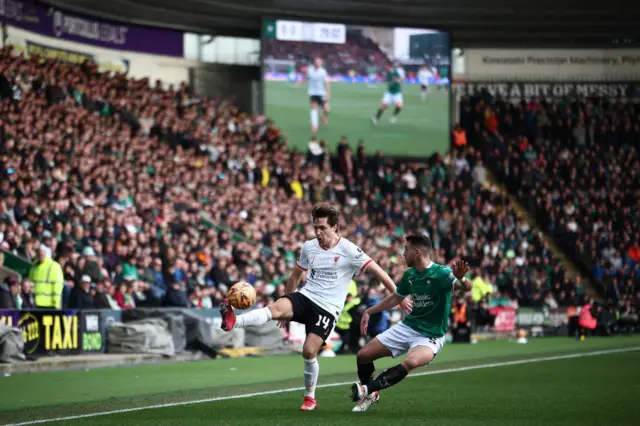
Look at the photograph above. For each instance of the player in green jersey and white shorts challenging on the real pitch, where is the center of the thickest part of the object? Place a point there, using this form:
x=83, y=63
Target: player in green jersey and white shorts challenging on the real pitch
x=421, y=334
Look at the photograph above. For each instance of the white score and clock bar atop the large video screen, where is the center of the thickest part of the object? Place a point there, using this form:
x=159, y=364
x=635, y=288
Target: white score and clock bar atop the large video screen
x=312, y=32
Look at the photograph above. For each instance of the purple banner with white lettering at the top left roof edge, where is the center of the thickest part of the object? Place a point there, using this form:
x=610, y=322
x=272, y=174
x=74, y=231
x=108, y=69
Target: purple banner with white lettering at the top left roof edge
x=53, y=22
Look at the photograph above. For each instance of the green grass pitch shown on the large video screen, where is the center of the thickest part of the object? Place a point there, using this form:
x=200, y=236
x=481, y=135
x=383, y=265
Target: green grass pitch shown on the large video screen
x=422, y=127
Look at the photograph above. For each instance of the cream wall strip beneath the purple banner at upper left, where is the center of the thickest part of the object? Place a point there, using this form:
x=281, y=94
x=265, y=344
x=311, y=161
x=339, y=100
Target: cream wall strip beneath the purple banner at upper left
x=170, y=70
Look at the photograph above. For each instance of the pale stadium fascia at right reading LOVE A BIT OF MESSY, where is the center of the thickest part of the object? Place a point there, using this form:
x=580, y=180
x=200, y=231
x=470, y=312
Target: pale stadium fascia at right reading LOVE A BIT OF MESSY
x=514, y=74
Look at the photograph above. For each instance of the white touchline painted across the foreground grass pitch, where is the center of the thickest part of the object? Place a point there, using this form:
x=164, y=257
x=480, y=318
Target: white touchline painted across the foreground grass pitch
x=330, y=385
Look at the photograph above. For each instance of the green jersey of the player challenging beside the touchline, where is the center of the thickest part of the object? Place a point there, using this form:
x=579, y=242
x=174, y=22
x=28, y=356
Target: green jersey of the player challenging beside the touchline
x=431, y=291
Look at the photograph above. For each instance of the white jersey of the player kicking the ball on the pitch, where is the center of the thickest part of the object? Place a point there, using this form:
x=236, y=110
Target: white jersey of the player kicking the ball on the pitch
x=329, y=272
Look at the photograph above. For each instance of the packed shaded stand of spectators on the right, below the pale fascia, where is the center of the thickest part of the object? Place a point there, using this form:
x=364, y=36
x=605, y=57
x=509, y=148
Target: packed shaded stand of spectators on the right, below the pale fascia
x=575, y=165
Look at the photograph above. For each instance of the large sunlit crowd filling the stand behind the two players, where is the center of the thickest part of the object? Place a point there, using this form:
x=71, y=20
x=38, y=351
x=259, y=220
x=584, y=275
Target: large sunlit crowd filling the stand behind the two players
x=148, y=197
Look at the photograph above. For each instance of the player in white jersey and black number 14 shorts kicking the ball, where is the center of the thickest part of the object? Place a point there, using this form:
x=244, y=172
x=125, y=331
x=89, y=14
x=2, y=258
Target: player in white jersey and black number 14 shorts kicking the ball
x=329, y=262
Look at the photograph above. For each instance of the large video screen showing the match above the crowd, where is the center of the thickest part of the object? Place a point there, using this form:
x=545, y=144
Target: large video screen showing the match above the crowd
x=388, y=87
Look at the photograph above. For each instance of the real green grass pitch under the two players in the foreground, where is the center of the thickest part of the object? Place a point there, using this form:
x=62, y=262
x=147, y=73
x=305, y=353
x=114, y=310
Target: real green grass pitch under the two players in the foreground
x=554, y=381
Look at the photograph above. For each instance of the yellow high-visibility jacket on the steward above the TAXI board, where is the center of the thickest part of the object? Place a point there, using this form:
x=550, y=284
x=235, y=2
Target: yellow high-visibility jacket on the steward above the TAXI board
x=48, y=283
